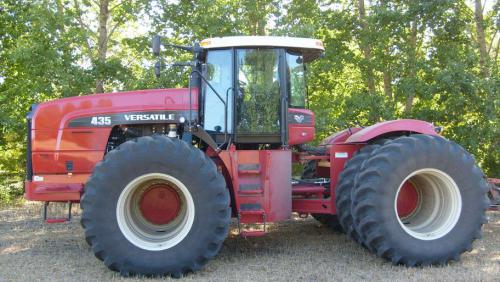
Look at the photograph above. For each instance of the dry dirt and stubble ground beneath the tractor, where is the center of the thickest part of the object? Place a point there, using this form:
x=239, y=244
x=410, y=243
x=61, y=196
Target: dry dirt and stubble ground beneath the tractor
x=299, y=249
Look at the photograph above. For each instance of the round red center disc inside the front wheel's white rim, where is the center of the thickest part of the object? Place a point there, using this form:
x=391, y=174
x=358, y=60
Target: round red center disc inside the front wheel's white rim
x=160, y=204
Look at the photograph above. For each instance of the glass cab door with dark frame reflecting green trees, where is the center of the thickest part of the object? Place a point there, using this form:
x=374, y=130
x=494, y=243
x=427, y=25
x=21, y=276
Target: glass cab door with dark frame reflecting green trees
x=259, y=96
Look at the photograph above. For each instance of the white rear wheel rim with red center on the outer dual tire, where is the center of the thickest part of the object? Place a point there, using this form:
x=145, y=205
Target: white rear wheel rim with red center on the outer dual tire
x=437, y=208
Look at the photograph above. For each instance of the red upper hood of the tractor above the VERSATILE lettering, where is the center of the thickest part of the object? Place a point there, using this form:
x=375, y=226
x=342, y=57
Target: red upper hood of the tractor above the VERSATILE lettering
x=58, y=114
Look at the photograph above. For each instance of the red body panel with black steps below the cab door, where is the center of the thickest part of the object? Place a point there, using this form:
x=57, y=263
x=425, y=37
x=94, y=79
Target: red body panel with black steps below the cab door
x=268, y=172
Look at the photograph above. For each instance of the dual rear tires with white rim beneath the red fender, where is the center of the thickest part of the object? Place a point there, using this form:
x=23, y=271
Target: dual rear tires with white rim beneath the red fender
x=415, y=200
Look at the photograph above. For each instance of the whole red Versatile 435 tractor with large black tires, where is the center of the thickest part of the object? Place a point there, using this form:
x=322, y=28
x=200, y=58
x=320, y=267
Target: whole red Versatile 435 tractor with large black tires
x=160, y=173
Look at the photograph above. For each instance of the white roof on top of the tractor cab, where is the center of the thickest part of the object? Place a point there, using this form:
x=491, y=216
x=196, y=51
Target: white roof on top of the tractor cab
x=310, y=48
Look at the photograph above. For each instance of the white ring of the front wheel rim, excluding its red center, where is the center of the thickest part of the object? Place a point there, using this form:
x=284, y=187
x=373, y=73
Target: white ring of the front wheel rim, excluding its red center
x=146, y=235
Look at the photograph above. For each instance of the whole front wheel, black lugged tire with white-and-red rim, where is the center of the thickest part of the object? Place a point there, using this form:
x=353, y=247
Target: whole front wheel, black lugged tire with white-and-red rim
x=155, y=206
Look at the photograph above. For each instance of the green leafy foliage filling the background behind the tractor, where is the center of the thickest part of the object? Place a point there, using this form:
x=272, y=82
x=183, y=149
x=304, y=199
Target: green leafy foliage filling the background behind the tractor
x=424, y=59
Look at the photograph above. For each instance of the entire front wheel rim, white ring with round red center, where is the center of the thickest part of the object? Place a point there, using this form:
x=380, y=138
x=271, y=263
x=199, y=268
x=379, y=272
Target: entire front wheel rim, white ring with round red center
x=155, y=211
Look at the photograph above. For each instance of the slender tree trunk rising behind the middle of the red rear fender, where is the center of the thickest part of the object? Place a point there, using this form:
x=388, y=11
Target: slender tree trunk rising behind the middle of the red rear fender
x=412, y=67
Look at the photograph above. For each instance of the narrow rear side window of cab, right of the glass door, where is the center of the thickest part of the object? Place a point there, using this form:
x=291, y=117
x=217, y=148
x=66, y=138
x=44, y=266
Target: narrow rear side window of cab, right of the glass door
x=297, y=83
